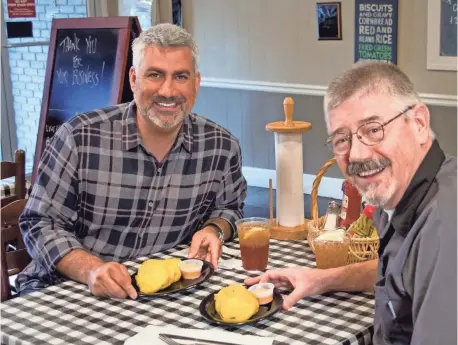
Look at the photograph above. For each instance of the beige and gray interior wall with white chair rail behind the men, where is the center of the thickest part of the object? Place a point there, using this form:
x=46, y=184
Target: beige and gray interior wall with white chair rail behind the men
x=254, y=53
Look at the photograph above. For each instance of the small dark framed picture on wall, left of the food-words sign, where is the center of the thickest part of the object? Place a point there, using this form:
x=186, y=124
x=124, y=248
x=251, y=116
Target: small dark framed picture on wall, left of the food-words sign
x=329, y=23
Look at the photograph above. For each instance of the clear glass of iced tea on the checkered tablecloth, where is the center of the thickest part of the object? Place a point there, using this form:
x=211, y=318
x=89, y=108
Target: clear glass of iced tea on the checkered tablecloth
x=254, y=236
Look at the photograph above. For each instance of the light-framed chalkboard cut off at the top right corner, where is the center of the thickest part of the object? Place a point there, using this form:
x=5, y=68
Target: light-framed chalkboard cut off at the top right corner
x=442, y=35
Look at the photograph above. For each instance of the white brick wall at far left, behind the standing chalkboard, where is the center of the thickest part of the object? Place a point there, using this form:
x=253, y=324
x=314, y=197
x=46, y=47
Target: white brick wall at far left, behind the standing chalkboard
x=28, y=68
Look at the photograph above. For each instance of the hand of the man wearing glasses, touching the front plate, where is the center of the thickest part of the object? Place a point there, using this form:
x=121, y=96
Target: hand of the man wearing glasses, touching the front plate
x=304, y=282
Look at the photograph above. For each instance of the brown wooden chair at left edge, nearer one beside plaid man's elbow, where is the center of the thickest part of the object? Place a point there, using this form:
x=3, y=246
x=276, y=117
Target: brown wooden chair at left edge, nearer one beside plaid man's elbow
x=14, y=256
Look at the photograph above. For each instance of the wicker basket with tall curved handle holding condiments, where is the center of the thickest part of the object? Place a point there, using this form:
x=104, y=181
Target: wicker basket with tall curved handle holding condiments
x=361, y=248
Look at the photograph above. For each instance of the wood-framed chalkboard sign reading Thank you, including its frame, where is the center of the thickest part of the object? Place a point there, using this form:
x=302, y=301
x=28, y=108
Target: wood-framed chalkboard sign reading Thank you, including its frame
x=88, y=68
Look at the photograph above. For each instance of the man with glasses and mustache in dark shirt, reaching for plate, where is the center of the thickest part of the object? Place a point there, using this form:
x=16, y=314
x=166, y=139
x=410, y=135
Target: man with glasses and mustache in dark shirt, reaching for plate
x=379, y=131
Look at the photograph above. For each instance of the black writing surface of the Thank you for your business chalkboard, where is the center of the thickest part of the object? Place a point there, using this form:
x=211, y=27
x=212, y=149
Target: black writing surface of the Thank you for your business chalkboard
x=83, y=74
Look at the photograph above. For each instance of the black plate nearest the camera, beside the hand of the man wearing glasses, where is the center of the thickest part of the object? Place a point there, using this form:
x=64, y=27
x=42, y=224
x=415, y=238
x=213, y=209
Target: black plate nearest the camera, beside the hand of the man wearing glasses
x=208, y=311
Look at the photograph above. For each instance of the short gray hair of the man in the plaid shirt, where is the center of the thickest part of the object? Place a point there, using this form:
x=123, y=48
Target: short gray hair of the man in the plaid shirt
x=164, y=35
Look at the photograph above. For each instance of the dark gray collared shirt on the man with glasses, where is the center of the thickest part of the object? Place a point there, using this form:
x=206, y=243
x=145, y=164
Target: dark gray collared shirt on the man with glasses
x=415, y=295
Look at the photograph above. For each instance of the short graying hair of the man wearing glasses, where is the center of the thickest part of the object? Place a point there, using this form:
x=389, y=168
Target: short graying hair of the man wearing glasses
x=367, y=77
